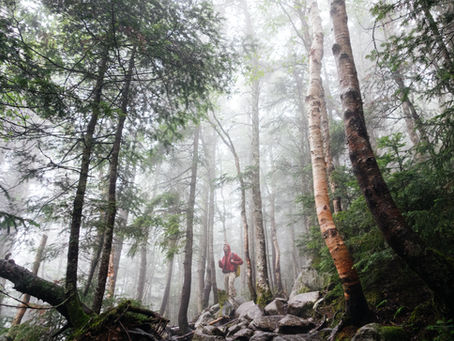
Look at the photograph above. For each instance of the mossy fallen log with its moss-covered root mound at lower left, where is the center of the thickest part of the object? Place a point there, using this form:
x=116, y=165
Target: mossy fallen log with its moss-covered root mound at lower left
x=124, y=322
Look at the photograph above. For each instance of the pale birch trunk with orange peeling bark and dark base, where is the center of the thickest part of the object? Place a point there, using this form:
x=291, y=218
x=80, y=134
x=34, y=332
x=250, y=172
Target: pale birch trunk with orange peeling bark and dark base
x=355, y=302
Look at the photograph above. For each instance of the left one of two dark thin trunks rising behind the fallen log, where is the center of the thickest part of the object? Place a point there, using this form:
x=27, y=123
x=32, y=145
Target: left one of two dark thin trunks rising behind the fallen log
x=76, y=216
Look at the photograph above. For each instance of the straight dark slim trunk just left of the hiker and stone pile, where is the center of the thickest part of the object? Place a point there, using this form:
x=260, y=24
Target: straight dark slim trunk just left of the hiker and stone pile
x=186, y=291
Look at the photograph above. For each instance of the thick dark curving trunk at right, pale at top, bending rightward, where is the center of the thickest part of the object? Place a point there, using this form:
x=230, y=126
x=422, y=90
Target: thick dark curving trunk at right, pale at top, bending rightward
x=430, y=265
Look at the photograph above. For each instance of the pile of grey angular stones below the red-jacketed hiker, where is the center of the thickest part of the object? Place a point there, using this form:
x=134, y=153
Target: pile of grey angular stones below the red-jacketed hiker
x=280, y=320
